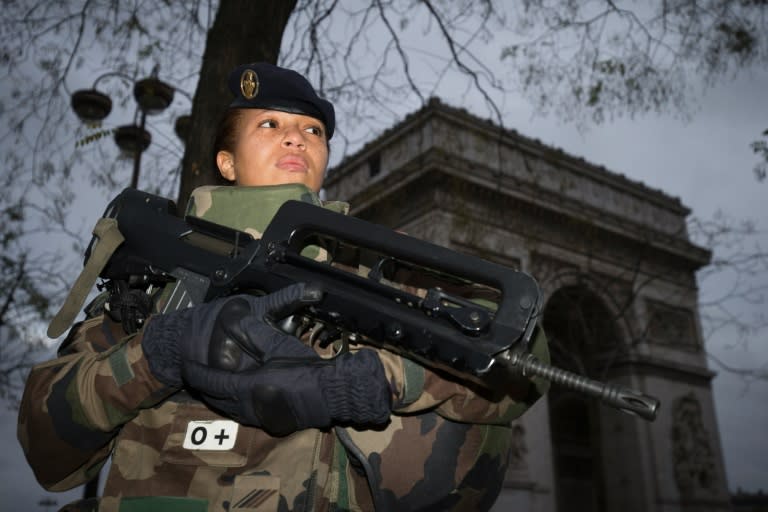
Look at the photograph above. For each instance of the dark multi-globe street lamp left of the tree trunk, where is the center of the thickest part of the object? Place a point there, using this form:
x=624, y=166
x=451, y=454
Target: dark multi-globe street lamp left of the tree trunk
x=152, y=95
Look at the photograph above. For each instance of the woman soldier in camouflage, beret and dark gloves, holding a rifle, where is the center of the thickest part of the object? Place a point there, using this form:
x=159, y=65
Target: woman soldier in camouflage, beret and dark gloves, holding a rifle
x=293, y=429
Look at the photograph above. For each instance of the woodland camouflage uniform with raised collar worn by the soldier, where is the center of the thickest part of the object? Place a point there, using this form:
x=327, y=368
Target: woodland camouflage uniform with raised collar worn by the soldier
x=445, y=448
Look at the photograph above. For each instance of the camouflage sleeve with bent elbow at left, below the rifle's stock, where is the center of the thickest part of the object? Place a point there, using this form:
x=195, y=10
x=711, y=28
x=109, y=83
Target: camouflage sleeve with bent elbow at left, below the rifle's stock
x=73, y=406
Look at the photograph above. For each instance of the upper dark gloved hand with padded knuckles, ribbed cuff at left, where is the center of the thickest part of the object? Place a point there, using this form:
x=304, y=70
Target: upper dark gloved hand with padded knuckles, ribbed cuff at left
x=209, y=333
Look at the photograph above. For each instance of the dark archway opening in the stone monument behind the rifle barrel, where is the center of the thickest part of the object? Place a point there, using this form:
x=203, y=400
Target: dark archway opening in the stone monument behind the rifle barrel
x=581, y=329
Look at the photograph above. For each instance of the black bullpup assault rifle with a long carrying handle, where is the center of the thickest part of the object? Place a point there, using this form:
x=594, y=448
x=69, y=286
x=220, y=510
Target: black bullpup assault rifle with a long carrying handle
x=476, y=339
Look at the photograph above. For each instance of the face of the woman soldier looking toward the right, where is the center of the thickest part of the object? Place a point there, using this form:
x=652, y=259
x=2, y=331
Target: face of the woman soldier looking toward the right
x=275, y=148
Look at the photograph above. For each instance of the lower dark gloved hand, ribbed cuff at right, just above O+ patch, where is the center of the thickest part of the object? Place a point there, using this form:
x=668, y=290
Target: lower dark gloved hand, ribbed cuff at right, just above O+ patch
x=295, y=388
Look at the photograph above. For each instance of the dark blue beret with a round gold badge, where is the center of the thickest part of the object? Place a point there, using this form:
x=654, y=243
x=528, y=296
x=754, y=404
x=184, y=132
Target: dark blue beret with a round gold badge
x=264, y=85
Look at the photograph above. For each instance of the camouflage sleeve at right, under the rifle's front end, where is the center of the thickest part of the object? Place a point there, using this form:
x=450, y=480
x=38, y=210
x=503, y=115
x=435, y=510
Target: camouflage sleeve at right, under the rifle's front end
x=416, y=388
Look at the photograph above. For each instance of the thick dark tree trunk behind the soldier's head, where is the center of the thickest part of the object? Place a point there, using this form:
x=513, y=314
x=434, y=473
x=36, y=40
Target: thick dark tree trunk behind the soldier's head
x=243, y=31
